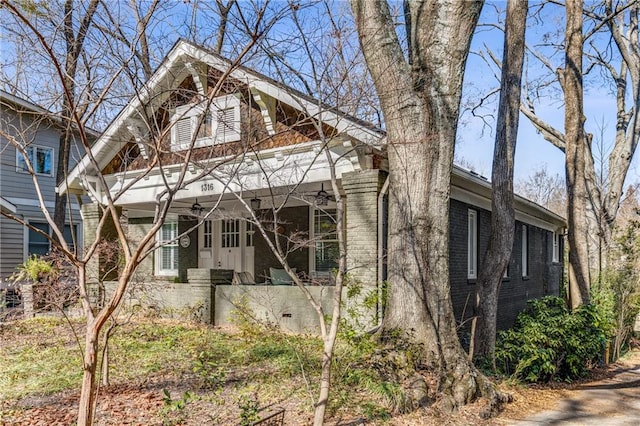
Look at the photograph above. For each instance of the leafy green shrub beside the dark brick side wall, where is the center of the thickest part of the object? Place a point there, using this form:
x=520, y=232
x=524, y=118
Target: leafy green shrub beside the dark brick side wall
x=548, y=342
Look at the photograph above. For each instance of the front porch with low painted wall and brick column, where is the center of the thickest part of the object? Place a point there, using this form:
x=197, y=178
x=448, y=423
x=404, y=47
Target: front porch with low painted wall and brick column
x=205, y=266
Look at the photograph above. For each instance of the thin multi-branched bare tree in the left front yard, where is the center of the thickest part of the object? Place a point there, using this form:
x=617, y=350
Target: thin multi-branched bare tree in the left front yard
x=133, y=254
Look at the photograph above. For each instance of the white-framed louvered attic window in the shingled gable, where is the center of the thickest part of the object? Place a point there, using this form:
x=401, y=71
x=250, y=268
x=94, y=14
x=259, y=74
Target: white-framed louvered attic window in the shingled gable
x=193, y=113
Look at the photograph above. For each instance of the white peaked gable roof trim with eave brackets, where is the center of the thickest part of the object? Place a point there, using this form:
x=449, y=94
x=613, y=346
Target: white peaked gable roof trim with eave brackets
x=186, y=60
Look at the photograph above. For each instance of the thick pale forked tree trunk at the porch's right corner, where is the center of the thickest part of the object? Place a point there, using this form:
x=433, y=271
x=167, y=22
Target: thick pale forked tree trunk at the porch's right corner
x=420, y=98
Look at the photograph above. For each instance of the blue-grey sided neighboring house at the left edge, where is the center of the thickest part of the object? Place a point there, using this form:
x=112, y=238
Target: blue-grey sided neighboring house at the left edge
x=39, y=131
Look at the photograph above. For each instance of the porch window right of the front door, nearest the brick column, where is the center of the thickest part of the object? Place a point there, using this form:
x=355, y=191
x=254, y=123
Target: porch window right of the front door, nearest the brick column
x=326, y=246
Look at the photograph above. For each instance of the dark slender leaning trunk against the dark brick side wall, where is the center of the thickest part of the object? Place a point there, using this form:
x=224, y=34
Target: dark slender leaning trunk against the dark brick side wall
x=496, y=258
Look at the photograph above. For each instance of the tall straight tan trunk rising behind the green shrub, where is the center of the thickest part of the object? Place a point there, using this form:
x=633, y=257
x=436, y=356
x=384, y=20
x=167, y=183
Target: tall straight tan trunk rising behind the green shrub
x=577, y=195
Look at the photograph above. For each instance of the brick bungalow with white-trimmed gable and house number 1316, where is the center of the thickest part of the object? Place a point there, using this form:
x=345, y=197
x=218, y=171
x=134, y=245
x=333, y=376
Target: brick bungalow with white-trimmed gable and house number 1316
x=257, y=138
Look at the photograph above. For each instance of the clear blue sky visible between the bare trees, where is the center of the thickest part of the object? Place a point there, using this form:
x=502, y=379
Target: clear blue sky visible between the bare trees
x=475, y=136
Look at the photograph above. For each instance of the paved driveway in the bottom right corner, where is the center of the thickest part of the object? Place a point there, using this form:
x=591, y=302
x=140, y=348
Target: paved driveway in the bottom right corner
x=610, y=402
